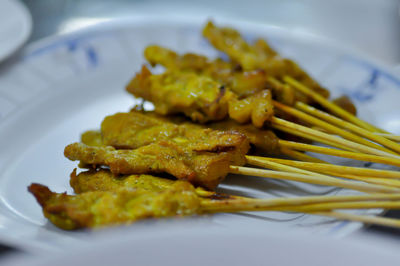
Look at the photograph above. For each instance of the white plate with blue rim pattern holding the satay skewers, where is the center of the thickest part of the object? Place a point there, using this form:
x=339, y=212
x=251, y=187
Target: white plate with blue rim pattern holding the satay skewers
x=66, y=85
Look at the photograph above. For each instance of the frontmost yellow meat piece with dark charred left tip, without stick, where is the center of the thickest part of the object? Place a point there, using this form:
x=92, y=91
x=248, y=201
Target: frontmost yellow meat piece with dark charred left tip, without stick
x=122, y=206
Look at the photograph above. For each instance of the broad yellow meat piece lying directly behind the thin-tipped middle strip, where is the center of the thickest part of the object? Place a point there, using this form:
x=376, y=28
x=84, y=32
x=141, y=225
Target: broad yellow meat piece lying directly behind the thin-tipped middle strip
x=136, y=129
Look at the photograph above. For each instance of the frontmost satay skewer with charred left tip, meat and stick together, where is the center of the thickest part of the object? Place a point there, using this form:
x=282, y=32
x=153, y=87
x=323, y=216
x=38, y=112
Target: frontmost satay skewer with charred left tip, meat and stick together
x=72, y=212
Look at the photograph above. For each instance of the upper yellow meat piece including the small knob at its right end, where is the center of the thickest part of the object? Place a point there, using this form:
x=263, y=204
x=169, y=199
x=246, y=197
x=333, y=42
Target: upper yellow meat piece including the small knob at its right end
x=199, y=97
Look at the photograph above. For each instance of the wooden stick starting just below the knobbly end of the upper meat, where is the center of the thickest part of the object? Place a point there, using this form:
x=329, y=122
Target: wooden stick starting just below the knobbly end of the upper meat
x=294, y=128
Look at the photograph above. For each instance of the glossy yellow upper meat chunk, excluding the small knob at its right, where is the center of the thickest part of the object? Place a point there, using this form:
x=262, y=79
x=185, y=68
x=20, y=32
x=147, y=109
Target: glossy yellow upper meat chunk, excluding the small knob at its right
x=198, y=97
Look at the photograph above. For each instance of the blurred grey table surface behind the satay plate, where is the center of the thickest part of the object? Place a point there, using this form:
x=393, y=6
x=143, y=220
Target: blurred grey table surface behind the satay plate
x=360, y=19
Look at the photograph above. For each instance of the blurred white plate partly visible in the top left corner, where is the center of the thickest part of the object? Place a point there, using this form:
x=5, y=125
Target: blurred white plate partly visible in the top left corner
x=15, y=26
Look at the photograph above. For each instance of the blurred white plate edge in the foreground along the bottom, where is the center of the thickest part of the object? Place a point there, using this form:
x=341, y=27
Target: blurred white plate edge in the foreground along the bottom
x=197, y=245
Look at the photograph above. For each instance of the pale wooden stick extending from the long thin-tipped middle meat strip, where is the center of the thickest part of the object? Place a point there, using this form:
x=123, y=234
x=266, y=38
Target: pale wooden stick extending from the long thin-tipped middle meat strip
x=327, y=181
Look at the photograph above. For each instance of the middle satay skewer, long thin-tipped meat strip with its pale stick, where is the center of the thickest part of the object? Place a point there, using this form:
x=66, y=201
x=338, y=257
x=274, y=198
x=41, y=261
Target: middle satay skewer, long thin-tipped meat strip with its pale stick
x=204, y=171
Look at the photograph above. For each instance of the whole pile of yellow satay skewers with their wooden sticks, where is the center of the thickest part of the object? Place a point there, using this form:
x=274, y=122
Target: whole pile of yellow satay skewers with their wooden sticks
x=210, y=118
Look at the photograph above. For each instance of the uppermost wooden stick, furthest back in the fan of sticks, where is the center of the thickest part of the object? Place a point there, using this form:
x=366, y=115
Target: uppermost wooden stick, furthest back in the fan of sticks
x=331, y=106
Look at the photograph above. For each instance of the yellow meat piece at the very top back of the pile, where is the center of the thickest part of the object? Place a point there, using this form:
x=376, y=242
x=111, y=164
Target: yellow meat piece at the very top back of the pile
x=259, y=56
